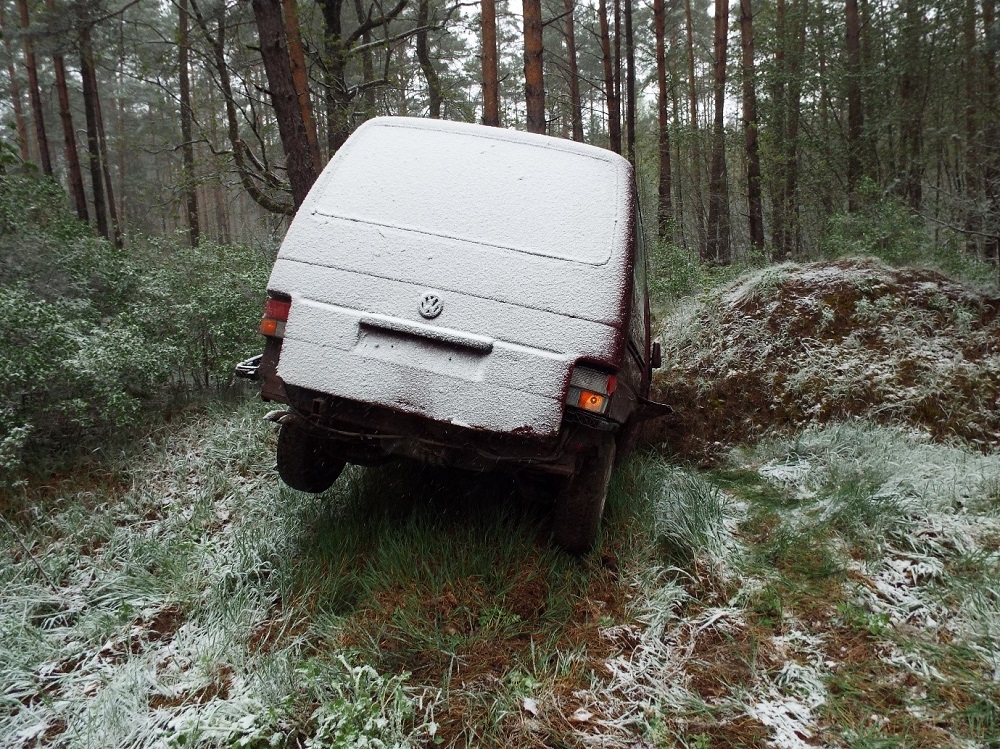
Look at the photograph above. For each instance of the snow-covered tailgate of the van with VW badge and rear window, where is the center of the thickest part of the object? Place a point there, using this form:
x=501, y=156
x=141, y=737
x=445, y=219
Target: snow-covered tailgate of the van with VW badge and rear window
x=457, y=272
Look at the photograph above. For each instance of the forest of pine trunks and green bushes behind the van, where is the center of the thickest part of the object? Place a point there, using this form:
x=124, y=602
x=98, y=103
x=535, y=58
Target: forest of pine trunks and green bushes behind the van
x=156, y=151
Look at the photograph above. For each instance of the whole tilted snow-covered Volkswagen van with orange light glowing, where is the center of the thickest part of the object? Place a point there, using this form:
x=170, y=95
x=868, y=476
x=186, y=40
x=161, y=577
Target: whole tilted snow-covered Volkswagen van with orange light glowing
x=466, y=296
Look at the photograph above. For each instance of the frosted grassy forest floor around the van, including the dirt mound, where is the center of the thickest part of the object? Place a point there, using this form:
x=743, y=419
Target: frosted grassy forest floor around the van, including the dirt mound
x=822, y=576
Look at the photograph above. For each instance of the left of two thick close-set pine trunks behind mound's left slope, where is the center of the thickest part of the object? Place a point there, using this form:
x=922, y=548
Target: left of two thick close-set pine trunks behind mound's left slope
x=718, y=248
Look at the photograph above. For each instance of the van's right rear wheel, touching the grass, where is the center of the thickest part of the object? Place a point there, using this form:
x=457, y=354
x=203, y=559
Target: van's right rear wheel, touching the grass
x=580, y=505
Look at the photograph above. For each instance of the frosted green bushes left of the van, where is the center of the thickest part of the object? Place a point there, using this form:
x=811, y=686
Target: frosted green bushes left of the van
x=96, y=338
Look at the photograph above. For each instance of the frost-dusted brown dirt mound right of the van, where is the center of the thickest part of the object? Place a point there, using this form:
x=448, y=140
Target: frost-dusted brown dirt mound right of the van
x=794, y=344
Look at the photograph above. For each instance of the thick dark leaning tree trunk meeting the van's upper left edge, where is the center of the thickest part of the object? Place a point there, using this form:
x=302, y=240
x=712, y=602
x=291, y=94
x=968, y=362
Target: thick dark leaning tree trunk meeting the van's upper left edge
x=291, y=128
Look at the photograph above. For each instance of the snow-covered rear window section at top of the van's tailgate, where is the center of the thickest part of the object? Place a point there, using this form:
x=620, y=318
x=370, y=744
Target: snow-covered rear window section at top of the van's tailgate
x=493, y=187
